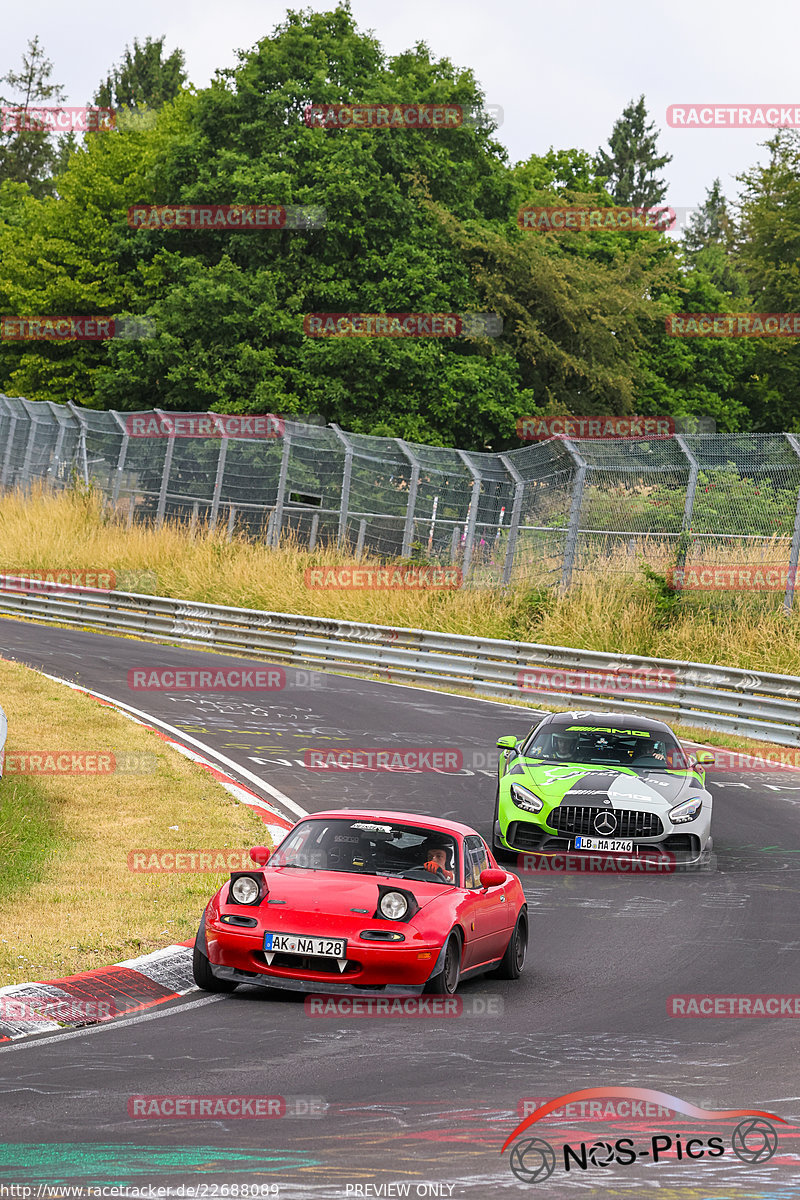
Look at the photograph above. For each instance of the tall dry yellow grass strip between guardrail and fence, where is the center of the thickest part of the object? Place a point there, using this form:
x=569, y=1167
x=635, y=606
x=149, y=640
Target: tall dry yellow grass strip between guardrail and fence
x=611, y=608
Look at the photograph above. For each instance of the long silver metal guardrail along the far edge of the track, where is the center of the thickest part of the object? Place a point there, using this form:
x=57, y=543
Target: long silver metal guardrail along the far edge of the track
x=729, y=699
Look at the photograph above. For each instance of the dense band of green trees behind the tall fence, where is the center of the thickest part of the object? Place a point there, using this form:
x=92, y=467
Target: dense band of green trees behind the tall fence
x=417, y=223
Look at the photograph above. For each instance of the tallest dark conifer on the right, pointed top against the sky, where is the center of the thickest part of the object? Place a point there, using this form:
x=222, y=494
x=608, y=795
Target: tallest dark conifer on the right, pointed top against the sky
x=630, y=170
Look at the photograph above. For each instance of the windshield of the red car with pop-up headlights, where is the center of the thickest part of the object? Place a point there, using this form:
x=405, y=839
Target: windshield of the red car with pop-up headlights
x=370, y=848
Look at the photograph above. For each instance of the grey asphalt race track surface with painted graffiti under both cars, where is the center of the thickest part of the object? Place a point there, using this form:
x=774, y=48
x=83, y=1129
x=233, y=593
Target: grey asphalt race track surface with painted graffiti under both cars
x=430, y=1102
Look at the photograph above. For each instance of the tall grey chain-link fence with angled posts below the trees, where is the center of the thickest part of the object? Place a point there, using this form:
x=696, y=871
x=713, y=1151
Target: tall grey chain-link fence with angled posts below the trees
x=548, y=513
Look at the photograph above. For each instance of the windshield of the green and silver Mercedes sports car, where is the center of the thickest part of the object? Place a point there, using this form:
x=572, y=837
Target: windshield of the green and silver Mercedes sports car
x=636, y=749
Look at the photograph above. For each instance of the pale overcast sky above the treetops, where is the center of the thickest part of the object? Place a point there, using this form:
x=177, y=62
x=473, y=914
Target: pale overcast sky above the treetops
x=562, y=73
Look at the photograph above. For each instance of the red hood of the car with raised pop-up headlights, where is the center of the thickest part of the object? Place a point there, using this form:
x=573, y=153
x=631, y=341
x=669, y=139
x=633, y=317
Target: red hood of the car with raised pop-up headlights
x=338, y=893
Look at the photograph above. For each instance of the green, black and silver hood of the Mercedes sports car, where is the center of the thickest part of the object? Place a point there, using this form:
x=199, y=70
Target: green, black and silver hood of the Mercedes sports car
x=590, y=785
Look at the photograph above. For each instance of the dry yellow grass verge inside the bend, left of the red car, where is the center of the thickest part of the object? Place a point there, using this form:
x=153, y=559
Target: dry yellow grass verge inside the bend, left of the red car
x=68, y=899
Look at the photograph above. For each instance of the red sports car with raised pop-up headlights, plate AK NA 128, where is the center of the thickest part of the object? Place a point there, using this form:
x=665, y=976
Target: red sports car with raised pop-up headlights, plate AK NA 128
x=364, y=902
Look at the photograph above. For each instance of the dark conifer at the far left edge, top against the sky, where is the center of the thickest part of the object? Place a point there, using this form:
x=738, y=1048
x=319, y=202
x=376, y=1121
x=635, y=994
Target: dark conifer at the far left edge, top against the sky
x=33, y=157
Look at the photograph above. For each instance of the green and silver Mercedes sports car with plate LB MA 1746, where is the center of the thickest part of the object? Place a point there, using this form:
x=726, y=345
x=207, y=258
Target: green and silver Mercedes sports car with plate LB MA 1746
x=603, y=782
